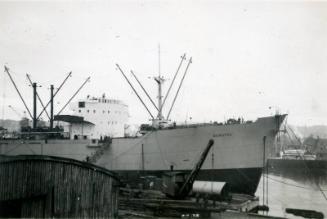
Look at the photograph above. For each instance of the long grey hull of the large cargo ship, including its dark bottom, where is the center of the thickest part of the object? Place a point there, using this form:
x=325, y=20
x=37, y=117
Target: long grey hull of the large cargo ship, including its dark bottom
x=237, y=156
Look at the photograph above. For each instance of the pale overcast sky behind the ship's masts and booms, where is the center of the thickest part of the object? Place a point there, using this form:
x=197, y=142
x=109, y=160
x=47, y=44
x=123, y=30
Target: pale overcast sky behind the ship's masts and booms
x=249, y=59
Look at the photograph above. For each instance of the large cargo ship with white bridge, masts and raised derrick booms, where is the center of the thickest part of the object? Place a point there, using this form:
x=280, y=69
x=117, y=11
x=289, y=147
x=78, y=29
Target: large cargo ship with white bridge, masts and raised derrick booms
x=237, y=157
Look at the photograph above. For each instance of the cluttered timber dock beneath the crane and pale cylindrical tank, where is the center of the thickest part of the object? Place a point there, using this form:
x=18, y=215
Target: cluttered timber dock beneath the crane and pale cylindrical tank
x=150, y=203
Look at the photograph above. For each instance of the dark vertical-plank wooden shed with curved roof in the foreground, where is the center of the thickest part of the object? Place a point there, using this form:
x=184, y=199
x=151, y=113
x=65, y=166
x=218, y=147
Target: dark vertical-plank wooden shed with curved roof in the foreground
x=45, y=186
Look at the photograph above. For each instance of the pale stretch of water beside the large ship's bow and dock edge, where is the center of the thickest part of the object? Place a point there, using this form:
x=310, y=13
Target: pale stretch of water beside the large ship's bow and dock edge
x=295, y=189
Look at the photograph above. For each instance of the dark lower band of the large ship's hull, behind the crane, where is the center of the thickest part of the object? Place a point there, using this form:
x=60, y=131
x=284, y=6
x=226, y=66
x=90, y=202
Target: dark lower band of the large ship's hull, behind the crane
x=243, y=180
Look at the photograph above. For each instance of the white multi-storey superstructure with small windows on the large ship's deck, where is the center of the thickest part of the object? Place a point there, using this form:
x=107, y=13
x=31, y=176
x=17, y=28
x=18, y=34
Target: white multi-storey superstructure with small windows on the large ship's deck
x=109, y=116
